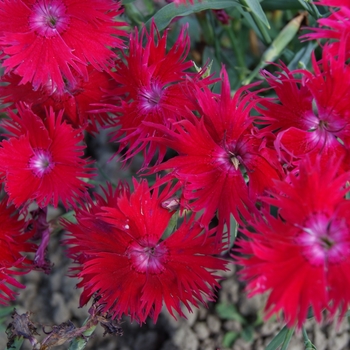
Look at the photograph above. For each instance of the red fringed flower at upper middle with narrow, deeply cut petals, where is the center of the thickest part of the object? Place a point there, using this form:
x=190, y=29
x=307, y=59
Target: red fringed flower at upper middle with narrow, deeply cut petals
x=153, y=82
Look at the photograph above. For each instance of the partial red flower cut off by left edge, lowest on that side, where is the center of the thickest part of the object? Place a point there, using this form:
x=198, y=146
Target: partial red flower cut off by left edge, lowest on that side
x=13, y=241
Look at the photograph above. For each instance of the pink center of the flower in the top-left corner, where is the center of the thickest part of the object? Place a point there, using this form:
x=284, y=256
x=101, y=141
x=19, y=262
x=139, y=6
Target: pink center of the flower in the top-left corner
x=49, y=18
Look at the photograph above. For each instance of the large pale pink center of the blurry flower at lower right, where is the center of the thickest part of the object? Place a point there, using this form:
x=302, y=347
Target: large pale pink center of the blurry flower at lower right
x=324, y=240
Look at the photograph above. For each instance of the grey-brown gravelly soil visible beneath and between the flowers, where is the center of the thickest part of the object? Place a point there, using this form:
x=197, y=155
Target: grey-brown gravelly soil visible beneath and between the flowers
x=53, y=299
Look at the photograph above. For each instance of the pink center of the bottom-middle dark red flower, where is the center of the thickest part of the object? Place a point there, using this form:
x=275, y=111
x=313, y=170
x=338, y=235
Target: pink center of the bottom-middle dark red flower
x=148, y=257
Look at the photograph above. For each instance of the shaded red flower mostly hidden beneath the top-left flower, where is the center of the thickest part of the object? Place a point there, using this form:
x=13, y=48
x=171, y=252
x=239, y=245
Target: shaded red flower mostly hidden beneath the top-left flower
x=76, y=99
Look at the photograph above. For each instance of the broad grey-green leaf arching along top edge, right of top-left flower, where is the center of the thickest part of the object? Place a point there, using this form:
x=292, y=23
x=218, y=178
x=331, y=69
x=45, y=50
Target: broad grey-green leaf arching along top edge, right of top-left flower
x=166, y=14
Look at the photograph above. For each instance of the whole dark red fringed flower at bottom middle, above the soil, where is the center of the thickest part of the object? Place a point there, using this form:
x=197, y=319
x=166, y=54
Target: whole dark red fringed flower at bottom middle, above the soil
x=130, y=268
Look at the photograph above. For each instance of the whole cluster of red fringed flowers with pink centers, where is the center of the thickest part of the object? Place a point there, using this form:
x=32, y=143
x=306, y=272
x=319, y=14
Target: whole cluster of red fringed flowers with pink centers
x=62, y=78
